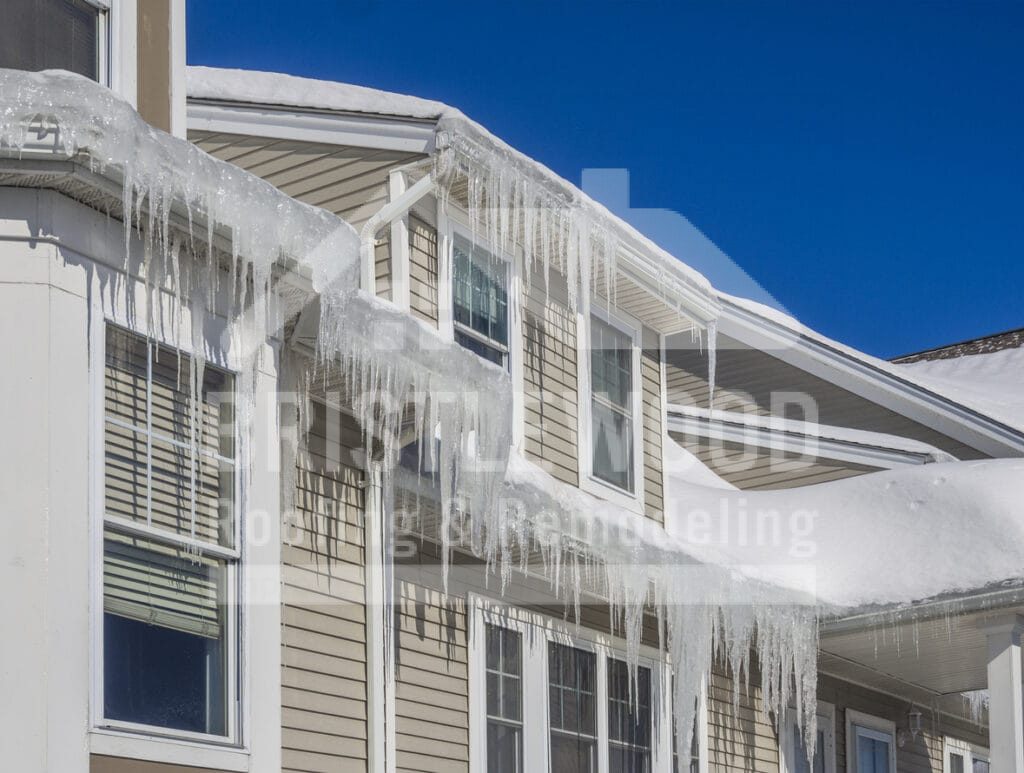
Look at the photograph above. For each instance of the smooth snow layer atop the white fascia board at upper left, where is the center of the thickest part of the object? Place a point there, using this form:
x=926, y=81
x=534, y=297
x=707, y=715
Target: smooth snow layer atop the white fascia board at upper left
x=277, y=89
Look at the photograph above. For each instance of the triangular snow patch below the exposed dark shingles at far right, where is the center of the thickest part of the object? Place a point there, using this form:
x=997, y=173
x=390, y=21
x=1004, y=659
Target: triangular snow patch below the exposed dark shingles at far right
x=992, y=383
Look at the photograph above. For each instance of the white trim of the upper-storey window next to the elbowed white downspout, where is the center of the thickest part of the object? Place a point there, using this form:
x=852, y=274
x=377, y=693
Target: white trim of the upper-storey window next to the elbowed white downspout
x=454, y=225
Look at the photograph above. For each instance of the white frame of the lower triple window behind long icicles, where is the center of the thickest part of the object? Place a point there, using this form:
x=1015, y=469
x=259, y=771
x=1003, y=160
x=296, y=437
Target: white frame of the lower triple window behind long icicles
x=537, y=631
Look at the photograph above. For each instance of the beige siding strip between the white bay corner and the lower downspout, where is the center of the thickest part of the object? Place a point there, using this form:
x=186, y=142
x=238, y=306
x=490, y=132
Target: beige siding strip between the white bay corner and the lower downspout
x=324, y=684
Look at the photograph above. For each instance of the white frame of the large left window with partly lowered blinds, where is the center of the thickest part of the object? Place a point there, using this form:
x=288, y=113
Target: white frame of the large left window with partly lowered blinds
x=116, y=736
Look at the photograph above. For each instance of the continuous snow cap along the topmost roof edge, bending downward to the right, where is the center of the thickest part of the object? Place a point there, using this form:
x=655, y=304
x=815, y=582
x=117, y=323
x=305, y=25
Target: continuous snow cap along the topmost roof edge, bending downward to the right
x=276, y=89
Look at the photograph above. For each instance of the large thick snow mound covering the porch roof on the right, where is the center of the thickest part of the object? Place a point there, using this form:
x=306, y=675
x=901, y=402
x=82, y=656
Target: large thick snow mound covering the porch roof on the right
x=887, y=538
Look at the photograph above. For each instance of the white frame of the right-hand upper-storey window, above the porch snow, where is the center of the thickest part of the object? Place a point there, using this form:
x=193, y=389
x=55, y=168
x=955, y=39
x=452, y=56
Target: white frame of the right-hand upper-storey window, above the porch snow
x=591, y=484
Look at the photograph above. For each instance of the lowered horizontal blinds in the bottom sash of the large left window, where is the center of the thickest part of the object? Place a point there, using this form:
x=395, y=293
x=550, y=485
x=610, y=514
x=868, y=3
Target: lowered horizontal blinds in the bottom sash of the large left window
x=159, y=585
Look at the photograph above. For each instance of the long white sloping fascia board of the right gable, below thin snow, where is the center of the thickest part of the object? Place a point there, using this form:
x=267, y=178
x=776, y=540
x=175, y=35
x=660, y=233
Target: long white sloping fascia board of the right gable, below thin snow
x=872, y=383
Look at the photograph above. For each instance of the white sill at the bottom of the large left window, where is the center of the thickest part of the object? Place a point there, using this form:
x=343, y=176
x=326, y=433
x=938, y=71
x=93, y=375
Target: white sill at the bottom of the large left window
x=169, y=751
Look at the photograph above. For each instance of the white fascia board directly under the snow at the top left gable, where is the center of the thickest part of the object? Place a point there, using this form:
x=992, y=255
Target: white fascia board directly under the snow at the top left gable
x=406, y=135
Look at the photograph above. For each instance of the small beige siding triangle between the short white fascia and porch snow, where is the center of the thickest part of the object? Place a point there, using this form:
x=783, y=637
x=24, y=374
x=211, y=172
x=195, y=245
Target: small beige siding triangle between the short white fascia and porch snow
x=753, y=468
